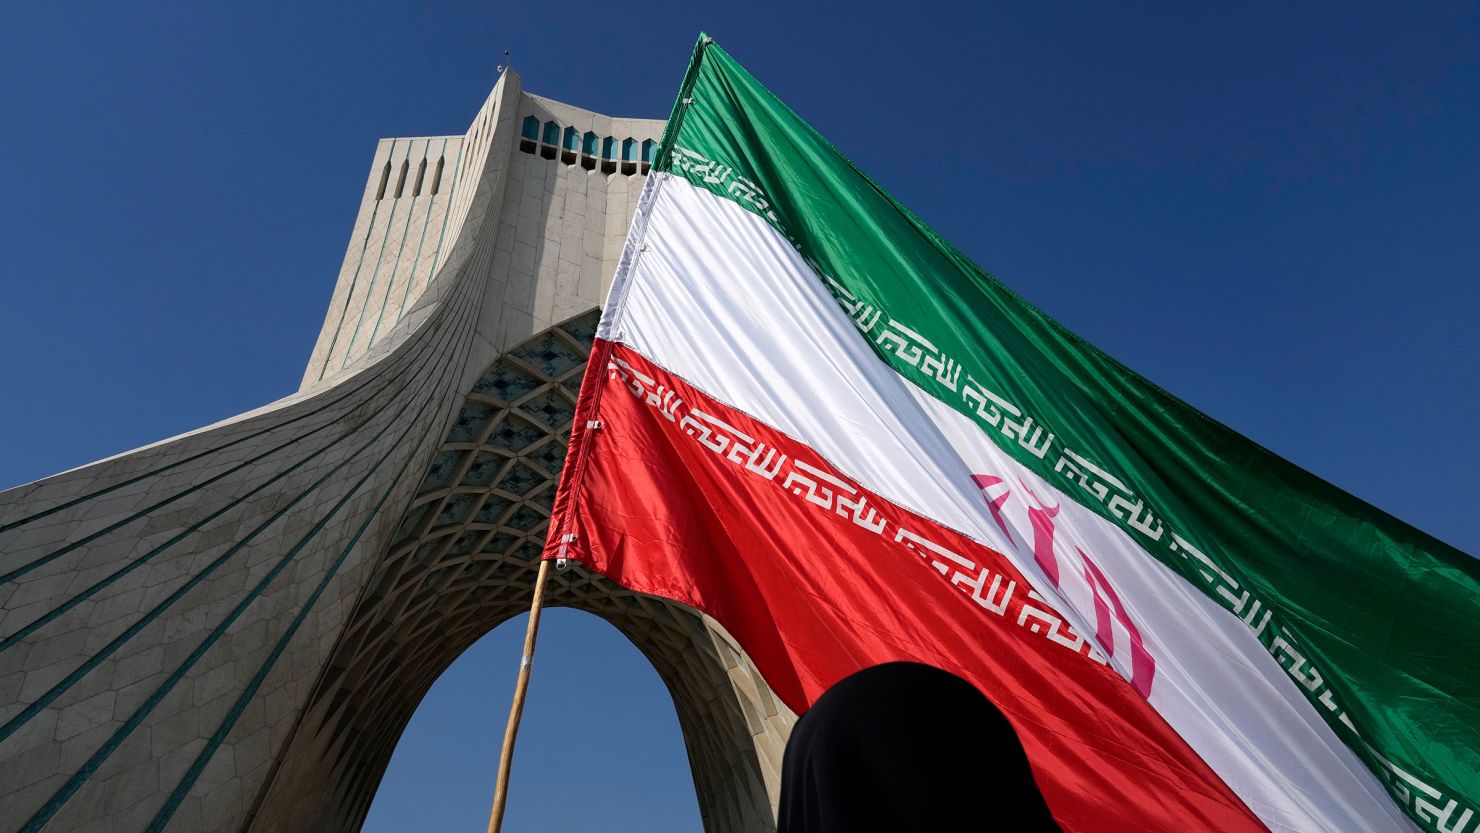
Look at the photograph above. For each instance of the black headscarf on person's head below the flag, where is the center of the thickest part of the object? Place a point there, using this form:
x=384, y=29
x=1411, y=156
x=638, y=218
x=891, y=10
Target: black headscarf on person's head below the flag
x=906, y=748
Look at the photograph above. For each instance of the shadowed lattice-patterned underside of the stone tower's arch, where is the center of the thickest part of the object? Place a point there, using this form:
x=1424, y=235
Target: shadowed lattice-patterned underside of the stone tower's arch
x=464, y=561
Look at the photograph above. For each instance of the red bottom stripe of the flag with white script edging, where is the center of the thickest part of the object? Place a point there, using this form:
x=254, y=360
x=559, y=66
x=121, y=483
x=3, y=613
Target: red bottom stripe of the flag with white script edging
x=682, y=496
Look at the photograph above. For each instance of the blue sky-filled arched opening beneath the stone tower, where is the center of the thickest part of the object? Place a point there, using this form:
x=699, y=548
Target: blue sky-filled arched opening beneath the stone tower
x=599, y=724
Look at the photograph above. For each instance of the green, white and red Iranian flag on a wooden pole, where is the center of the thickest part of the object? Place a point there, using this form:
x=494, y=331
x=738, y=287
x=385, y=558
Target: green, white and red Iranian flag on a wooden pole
x=815, y=421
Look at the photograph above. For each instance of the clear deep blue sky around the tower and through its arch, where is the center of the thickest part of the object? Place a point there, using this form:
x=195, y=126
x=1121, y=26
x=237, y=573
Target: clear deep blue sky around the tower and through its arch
x=1274, y=212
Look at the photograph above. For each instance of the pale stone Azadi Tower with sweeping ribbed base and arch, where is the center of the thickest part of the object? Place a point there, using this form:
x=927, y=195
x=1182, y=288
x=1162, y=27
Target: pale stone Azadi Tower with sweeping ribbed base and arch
x=229, y=630
